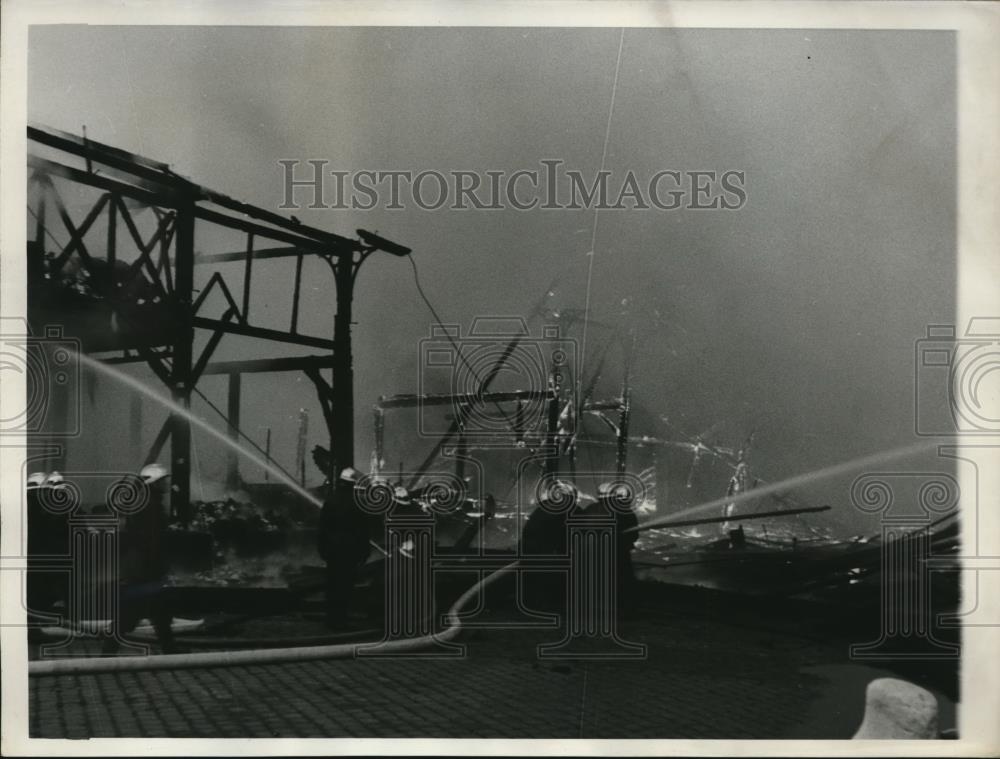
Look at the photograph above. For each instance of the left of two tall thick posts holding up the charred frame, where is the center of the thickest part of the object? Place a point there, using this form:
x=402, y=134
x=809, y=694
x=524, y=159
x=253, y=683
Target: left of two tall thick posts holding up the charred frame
x=180, y=374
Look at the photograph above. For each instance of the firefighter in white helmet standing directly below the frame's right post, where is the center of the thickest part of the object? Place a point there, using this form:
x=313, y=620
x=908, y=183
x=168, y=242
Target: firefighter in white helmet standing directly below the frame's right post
x=343, y=542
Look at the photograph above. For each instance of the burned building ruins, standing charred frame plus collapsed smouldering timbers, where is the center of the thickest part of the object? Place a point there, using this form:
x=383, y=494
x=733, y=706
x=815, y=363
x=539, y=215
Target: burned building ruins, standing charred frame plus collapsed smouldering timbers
x=695, y=515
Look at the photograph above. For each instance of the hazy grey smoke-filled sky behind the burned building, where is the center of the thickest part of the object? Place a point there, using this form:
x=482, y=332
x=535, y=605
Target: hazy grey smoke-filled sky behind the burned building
x=793, y=317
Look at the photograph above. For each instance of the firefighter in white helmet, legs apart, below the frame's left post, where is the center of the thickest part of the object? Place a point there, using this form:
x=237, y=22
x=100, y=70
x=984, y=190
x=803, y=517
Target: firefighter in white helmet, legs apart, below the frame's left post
x=144, y=566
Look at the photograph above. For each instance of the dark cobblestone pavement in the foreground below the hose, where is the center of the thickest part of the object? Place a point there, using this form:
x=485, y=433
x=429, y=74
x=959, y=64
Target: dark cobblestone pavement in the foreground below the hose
x=700, y=679
